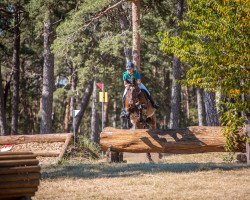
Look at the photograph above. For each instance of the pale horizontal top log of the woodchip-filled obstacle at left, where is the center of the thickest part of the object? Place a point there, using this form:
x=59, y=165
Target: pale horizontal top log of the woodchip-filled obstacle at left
x=21, y=139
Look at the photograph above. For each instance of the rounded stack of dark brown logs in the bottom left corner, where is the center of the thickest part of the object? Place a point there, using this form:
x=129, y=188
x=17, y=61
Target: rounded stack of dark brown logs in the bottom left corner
x=19, y=175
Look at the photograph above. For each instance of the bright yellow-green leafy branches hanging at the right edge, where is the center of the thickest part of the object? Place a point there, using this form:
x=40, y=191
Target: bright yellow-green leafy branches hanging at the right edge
x=213, y=40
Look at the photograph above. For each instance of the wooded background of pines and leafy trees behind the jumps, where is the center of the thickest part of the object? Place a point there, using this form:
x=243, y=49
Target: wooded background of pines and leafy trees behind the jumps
x=194, y=61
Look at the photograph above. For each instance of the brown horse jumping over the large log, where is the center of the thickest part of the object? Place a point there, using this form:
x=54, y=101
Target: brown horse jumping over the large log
x=139, y=112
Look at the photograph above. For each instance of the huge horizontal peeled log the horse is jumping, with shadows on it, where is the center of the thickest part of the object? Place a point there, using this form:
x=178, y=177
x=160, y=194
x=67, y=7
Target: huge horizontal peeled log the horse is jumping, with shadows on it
x=196, y=139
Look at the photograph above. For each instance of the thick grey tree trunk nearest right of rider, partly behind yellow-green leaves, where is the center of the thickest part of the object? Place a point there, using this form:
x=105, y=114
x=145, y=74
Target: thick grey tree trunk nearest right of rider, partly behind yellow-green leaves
x=176, y=87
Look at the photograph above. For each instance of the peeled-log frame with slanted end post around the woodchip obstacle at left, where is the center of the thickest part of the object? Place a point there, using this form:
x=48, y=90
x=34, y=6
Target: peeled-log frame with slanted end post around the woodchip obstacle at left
x=41, y=138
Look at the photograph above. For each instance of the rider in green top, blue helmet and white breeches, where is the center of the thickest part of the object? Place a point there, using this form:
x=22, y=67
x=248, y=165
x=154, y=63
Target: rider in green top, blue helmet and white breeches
x=127, y=81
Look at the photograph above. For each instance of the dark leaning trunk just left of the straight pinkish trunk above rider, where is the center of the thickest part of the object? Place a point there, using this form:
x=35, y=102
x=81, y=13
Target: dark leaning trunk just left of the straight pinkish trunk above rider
x=124, y=24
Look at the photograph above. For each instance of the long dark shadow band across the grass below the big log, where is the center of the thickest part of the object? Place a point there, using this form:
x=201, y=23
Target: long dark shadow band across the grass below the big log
x=104, y=170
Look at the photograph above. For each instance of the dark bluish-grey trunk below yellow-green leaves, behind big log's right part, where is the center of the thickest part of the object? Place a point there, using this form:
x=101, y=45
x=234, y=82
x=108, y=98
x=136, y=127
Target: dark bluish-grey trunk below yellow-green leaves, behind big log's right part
x=210, y=107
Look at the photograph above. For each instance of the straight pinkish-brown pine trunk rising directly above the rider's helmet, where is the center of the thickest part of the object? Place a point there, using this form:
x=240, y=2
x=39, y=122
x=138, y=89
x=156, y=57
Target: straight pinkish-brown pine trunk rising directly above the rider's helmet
x=136, y=33
